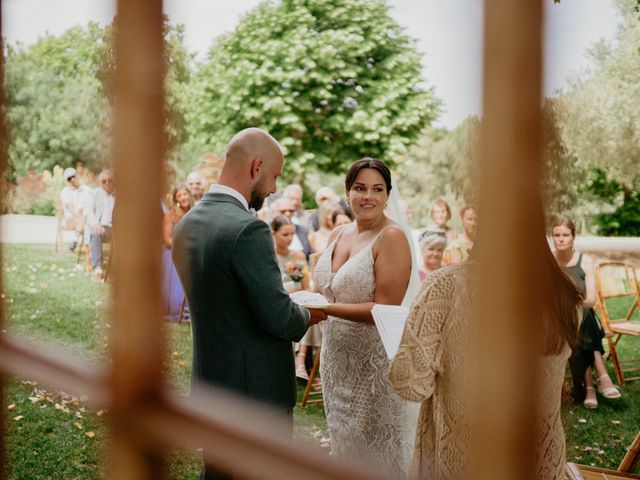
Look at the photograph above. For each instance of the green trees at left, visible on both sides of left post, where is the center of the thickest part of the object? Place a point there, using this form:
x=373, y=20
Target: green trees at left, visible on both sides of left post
x=58, y=93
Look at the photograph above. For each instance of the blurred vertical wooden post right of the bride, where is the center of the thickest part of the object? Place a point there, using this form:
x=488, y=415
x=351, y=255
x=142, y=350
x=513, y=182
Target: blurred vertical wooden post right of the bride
x=509, y=220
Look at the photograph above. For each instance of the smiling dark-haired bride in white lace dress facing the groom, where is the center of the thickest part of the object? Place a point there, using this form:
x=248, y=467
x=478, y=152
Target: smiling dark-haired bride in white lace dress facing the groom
x=365, y=262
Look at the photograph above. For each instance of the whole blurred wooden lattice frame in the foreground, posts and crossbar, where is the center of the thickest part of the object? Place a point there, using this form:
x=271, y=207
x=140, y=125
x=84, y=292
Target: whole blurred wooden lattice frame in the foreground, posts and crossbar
x=145, y=419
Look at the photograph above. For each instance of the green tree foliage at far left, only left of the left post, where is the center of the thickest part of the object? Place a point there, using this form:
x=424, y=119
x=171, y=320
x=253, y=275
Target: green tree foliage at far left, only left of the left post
x=54, y=111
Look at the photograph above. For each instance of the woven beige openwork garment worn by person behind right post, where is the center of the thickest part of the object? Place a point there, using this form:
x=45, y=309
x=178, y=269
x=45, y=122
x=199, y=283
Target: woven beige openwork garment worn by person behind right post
x=432, y=367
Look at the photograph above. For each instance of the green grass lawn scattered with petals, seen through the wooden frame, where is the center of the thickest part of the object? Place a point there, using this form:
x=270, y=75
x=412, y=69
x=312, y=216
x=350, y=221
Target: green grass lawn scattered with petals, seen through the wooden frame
x=53, y=435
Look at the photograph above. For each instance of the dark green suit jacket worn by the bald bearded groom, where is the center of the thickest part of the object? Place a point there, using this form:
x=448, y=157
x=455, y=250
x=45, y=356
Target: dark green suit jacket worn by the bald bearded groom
x=243, y=321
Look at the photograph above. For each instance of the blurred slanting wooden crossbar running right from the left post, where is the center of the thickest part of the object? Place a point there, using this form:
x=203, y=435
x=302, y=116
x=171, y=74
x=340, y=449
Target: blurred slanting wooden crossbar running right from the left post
x=239, y=436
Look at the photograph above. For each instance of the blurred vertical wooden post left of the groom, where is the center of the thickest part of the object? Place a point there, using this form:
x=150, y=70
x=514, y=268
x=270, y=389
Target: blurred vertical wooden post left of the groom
x=138, y=152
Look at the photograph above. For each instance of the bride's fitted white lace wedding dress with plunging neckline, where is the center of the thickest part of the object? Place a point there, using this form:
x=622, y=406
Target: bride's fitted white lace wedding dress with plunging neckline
x=367, y=420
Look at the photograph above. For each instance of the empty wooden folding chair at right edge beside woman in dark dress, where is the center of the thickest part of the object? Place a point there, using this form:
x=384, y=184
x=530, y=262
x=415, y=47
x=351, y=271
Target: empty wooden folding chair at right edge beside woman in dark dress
x=617, y=280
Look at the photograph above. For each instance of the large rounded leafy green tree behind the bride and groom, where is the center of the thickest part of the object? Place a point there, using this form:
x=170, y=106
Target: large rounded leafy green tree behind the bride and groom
x=333, y=80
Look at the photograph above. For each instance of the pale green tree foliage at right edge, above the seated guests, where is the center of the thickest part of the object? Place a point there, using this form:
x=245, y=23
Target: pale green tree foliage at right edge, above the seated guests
x=598, y=120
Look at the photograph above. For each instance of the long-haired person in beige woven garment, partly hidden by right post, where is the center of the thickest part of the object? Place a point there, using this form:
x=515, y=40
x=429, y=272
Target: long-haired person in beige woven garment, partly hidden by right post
x=433, y=366
